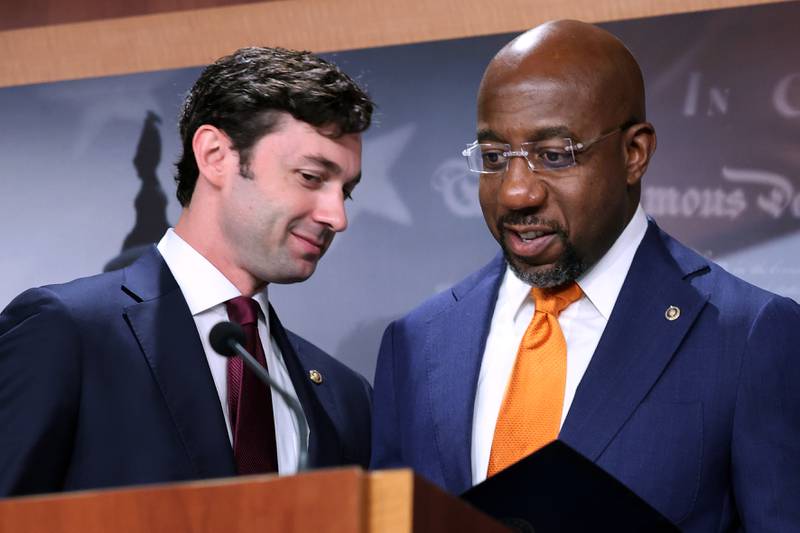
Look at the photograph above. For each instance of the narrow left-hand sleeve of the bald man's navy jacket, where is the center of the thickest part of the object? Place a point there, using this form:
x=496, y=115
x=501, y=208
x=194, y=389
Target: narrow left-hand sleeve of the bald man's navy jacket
x=386, y=437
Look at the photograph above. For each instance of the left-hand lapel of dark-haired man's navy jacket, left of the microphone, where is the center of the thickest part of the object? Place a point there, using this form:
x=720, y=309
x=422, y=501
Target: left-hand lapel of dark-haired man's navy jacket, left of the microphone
x=167, y=335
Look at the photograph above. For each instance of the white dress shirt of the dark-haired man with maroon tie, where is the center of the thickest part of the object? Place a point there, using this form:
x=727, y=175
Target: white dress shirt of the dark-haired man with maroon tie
x=206, y=290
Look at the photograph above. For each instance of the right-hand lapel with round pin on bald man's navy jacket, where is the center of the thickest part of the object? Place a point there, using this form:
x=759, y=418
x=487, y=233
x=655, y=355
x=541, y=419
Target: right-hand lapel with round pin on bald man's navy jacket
x=637, y=344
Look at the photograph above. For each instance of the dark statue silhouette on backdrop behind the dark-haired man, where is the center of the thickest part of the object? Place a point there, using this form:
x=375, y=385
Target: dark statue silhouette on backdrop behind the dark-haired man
x=150, y=203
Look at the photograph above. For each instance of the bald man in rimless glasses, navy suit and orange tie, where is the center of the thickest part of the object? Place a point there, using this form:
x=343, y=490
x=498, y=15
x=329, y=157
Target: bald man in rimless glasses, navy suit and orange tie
x=681, y=380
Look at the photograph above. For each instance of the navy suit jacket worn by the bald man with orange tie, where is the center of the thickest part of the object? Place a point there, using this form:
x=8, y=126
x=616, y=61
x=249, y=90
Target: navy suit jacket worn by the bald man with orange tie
x=700, y=415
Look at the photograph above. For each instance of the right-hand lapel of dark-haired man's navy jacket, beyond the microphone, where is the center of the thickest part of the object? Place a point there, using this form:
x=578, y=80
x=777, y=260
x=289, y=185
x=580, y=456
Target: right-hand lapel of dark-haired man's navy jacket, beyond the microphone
x=324, y=447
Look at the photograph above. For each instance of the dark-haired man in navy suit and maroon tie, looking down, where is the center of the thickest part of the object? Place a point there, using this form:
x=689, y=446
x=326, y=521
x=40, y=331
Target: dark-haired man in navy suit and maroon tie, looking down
x=110, y=380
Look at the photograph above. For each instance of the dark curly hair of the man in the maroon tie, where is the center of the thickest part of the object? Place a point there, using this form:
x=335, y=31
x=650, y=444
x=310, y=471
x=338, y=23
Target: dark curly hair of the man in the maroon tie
x=243, y=94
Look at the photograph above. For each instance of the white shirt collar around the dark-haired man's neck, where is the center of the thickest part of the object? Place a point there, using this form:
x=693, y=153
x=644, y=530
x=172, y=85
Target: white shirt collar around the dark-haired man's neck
x=202, y=285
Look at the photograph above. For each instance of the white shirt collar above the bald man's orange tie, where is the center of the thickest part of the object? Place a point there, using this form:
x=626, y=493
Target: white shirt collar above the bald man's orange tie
x=602, y=282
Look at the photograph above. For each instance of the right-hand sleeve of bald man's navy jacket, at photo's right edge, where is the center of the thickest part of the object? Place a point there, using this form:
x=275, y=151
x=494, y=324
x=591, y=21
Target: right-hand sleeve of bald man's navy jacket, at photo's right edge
x=766, y=431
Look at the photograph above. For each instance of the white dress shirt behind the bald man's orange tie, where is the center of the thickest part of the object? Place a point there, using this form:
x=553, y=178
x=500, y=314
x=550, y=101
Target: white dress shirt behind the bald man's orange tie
x=582, y=323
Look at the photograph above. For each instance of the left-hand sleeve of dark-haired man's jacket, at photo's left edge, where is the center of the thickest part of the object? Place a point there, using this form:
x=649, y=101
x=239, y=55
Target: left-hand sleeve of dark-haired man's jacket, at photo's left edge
x=39, y=393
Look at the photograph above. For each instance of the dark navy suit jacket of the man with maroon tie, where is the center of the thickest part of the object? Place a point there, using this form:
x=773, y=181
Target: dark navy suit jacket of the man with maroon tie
x=104, y=382
